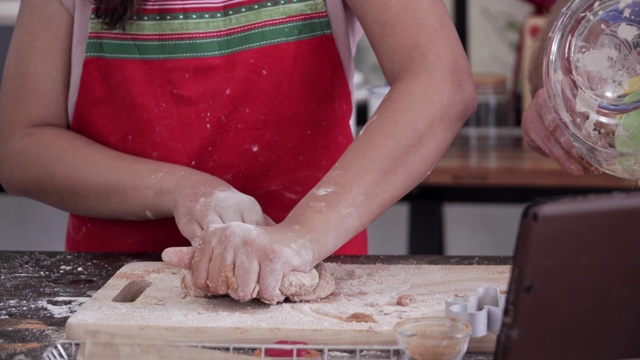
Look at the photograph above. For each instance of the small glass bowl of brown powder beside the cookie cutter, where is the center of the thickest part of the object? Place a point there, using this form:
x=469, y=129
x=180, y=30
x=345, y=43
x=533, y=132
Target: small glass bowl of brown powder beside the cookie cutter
x=433, y=338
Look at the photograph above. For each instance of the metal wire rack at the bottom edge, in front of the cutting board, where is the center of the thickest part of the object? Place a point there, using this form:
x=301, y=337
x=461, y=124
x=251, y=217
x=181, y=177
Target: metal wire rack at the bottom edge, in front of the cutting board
x=68, y=350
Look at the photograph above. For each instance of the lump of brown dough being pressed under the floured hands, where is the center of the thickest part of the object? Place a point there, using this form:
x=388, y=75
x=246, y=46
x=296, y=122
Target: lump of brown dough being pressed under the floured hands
x=297, y=286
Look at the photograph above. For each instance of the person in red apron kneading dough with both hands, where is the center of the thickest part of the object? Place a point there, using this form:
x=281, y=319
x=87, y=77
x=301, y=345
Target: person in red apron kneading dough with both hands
x=219, y=130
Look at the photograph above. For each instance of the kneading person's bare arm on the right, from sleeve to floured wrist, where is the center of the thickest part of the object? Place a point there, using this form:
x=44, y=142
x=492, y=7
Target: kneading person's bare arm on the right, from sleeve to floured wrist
x=431, y=96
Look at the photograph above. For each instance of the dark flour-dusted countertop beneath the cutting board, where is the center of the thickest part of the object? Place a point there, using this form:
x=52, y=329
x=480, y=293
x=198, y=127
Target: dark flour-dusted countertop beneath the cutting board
x=40, y=289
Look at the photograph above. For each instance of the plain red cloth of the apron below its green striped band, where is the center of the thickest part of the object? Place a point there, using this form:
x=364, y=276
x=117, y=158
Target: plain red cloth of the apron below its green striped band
x=270, y=121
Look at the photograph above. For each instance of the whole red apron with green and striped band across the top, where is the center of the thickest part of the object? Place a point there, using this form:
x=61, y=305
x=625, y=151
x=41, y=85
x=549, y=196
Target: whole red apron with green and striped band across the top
x=253, y=92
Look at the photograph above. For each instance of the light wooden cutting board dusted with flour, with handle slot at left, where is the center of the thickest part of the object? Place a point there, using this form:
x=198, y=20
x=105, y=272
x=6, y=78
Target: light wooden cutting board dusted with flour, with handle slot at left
x=145, y=300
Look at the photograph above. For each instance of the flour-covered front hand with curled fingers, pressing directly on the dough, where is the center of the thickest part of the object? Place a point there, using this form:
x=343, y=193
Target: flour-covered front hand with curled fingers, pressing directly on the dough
x=244, y=261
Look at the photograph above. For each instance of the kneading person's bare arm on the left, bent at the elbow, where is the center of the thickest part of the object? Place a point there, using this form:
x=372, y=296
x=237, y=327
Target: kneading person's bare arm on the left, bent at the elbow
x=42, y=159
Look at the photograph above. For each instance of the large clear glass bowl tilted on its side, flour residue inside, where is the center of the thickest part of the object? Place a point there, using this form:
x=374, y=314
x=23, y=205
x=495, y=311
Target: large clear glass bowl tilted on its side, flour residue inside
x=592, y=78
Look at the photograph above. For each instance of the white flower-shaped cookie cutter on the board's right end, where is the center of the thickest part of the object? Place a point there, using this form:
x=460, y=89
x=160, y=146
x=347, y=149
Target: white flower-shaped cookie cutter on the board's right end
x=482, y=311
